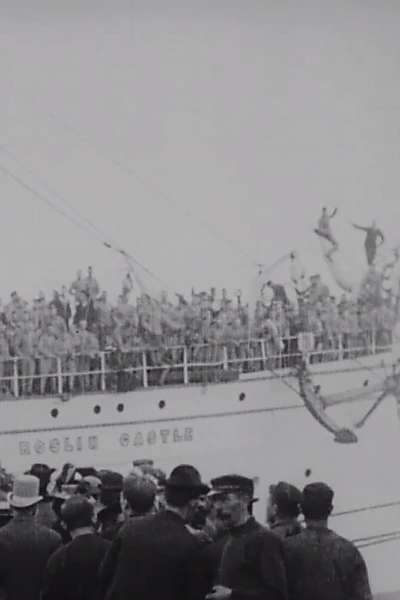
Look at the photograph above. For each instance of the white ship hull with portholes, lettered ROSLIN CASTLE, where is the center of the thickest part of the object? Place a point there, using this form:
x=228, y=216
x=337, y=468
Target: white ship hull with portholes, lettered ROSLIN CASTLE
x=258, y=426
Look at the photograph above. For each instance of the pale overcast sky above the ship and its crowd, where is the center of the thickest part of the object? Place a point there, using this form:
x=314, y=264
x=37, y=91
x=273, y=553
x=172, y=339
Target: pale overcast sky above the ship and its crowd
x=250, y=115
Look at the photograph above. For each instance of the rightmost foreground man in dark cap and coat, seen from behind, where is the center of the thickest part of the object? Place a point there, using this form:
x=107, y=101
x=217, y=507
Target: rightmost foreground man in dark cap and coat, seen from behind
x=322, y=565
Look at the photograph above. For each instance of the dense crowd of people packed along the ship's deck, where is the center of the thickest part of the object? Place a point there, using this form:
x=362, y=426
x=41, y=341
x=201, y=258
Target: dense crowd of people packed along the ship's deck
x=80, y=321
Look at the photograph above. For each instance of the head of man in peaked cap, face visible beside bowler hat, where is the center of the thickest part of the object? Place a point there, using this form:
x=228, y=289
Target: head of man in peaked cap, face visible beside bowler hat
x=231, y=498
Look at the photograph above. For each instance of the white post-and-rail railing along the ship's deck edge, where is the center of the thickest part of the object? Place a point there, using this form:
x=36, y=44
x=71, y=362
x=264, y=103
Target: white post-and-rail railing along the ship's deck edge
x=117, y=371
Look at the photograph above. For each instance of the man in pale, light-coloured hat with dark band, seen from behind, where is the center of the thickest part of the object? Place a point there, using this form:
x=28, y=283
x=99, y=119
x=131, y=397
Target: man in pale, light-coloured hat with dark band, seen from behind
x=25, y=544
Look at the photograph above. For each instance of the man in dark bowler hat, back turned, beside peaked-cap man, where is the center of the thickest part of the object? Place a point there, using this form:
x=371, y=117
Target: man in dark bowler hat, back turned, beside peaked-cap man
x=155, y=556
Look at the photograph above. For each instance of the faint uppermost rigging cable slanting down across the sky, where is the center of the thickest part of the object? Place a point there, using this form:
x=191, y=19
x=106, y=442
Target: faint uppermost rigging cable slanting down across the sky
x=134, y=174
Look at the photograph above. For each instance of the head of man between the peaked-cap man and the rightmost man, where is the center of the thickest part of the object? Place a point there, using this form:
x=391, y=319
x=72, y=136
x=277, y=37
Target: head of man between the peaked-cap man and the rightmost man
x=284, y=509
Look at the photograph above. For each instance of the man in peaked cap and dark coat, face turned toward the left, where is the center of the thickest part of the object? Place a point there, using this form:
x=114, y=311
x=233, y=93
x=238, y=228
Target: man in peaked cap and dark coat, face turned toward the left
x=252, y=562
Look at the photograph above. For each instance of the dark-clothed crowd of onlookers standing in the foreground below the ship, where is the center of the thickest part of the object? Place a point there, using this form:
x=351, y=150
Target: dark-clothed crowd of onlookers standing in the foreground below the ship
x=95, y=535
